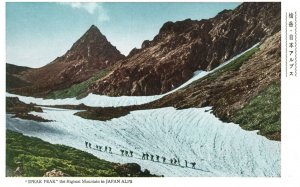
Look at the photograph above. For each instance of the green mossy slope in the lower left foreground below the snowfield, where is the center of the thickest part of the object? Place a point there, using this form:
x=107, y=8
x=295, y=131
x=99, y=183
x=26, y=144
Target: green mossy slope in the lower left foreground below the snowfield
x=35, y=157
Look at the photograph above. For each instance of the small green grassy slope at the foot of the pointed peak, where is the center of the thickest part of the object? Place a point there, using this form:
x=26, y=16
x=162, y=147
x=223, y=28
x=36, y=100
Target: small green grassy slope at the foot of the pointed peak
x=78, y=90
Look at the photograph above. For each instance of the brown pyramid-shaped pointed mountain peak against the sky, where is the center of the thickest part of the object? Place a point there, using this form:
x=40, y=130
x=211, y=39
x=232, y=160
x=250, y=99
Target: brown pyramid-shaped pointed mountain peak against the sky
x=91, y=53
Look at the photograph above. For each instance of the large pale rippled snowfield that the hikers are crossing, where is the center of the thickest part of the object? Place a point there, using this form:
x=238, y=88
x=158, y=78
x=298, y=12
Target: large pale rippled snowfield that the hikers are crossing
x=218, y=148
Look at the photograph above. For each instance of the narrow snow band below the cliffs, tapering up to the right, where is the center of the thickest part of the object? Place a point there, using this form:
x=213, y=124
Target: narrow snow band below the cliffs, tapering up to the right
x=107, y=101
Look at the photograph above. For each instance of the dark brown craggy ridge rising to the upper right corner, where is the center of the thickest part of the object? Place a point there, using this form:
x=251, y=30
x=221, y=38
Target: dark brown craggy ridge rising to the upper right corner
x=183, y=47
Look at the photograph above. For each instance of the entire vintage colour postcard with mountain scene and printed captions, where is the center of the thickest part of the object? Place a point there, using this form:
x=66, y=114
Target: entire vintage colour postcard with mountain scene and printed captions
x=145, y=89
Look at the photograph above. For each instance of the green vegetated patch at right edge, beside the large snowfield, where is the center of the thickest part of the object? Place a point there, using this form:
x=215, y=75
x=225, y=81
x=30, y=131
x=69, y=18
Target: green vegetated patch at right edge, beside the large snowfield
x=262, y=112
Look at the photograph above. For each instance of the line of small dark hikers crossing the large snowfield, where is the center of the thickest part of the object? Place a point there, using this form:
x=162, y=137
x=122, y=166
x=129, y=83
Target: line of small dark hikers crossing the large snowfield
x=145, y=156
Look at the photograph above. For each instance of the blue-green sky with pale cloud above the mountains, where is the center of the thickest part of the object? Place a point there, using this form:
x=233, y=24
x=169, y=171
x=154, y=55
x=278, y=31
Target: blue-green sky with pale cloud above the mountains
x=37, y=33
